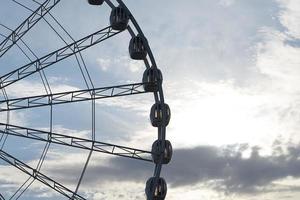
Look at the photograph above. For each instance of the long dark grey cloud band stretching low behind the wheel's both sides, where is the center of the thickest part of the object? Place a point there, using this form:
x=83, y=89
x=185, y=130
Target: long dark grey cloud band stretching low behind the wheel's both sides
x=224, y=166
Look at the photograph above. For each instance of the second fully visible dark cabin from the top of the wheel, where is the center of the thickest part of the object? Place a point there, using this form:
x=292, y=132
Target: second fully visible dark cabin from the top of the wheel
x=137, y=48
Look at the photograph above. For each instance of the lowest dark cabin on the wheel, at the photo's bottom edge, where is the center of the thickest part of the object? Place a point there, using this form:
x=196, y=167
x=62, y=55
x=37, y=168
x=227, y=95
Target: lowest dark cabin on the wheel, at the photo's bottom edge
x=160, y=191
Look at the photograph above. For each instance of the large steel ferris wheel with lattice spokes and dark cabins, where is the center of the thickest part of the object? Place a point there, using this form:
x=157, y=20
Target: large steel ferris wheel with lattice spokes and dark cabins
x=120, y=20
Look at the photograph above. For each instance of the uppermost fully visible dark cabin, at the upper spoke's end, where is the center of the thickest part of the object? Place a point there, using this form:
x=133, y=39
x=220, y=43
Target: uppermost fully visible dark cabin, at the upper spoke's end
x=119, y=18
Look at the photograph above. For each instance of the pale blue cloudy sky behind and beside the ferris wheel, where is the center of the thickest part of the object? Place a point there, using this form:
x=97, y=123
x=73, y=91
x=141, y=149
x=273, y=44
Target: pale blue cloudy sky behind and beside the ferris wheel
x=231, y=76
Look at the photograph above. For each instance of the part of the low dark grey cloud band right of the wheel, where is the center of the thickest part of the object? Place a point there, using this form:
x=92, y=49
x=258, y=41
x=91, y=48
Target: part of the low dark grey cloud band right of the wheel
x=233, y=172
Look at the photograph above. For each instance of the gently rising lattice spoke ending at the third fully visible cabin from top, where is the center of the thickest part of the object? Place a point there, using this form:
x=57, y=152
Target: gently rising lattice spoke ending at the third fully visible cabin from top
x=71, y=96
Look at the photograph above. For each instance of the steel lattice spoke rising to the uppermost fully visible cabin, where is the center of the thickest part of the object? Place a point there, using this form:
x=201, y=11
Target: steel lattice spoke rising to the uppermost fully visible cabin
x=57, y=56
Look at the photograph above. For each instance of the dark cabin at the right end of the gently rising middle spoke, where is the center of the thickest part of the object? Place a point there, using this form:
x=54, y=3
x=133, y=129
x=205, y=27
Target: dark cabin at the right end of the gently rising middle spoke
x=152, y=78
